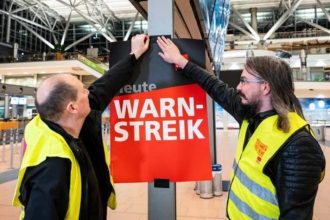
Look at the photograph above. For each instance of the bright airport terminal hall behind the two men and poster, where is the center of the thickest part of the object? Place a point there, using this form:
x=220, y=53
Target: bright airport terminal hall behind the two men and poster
x=40, y=38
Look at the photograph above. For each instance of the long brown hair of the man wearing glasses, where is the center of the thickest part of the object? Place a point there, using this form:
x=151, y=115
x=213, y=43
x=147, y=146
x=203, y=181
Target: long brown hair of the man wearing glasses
x=279, y=76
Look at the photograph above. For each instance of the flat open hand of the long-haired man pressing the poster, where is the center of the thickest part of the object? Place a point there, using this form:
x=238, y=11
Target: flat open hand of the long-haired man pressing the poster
x=170, y=52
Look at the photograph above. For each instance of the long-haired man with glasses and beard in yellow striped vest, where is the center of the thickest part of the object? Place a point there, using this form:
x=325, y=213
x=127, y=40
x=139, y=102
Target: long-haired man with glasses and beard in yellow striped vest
x=278, y=163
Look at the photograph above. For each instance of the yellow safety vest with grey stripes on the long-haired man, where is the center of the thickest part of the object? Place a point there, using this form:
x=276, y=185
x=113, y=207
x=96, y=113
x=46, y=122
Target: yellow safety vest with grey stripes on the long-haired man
x=252, y=194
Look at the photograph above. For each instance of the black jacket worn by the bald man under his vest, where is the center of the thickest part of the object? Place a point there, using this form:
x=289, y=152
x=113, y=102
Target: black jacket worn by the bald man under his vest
x=45, y=188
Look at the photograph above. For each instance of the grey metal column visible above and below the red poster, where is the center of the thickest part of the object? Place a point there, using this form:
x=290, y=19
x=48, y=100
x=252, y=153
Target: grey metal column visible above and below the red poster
x=161, y=193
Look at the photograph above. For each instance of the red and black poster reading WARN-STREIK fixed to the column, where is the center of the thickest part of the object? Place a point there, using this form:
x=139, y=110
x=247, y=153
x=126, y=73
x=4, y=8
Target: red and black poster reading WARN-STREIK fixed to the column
x=159, y=125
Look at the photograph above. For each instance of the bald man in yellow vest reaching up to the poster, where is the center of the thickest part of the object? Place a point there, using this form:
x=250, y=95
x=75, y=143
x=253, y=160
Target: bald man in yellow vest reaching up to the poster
x=65, y=169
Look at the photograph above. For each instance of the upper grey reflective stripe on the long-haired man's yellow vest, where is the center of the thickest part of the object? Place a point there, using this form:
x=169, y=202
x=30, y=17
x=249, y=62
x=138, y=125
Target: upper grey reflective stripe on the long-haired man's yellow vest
x=255, y=188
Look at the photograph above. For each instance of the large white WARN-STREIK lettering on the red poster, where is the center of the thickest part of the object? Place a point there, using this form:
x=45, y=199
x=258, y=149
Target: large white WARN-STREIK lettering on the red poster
x=156, y=120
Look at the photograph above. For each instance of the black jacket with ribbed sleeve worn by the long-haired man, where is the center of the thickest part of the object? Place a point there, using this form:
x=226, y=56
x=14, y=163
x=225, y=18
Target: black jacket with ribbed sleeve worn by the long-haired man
x=295, y=170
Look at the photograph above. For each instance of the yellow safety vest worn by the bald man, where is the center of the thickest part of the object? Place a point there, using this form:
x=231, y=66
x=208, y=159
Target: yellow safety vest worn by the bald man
x=41, y=143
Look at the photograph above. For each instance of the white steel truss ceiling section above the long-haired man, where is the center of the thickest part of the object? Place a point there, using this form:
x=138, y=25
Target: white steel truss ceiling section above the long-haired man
x=281, y=24
